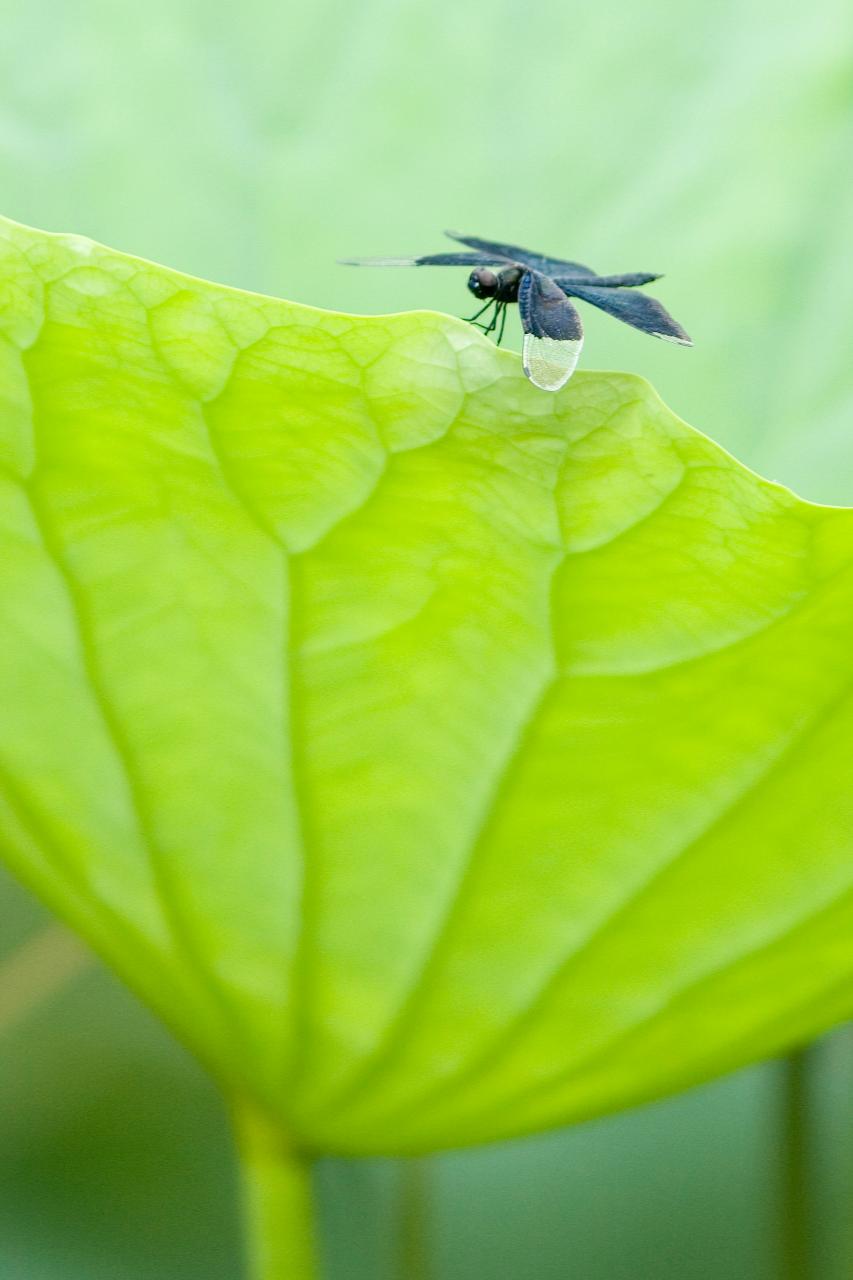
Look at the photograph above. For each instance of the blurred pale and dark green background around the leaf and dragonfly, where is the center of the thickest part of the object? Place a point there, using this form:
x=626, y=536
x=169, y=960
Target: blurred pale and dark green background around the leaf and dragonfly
x=256, y=145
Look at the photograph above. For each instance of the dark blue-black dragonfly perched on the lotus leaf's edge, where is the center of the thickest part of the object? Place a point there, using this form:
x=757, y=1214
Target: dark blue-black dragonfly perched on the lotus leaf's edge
x=544, y=290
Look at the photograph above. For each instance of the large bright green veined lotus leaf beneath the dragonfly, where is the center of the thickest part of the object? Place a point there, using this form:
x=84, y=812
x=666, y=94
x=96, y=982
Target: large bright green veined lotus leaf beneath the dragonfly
x=443, y=760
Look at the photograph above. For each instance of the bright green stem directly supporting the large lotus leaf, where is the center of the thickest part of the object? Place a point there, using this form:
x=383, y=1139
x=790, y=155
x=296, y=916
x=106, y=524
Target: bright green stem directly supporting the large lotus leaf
x=279, y=1204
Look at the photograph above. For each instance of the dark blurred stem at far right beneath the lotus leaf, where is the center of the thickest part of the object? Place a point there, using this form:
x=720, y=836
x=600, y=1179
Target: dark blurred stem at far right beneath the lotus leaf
x=796, y=1182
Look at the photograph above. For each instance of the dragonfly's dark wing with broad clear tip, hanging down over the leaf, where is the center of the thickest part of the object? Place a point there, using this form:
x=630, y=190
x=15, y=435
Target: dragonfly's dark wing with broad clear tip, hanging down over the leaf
x=553, y=332
